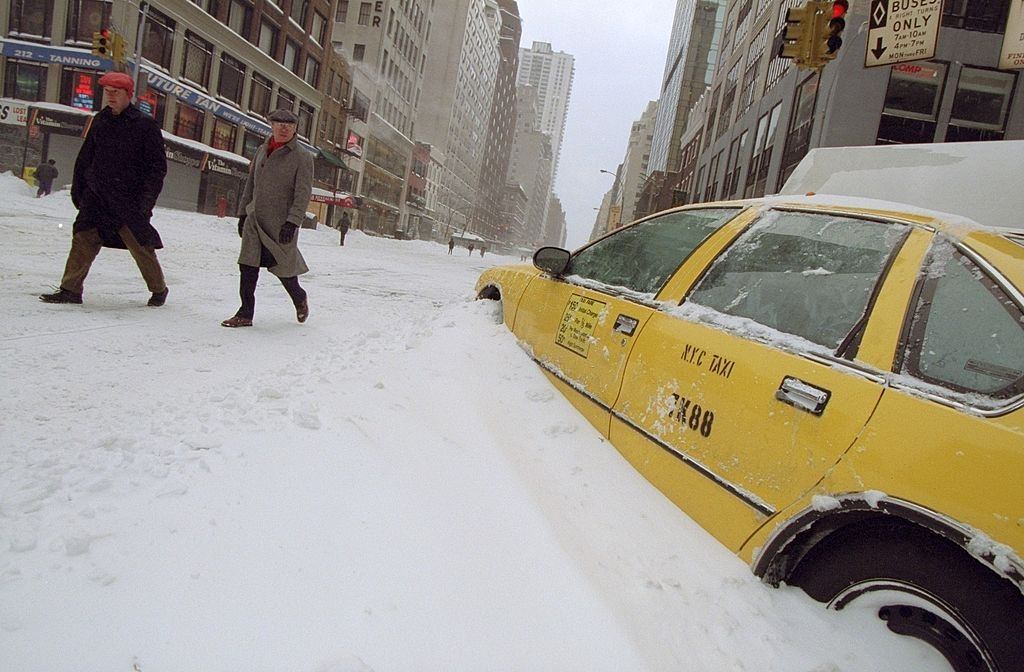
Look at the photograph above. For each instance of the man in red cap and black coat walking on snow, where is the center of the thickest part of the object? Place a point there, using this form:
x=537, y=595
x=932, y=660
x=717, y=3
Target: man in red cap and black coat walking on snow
x=118, y=176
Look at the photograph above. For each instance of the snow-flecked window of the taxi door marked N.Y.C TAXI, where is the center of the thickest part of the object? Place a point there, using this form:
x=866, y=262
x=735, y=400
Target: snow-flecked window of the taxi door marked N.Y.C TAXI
x=810, y=275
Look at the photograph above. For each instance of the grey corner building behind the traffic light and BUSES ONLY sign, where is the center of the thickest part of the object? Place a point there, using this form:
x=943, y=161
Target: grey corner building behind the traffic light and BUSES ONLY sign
x=764, y=114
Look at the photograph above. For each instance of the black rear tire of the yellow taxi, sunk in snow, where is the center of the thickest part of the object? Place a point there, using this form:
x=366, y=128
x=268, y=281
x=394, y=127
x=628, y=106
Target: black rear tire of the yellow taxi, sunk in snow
x=973, y=617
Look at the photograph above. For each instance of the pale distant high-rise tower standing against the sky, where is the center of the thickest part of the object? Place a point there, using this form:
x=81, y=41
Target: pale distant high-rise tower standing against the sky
x=550, y=73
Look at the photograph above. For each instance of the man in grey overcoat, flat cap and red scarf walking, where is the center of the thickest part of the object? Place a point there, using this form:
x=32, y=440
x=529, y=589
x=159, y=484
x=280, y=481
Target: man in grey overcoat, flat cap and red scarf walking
x=273, y=205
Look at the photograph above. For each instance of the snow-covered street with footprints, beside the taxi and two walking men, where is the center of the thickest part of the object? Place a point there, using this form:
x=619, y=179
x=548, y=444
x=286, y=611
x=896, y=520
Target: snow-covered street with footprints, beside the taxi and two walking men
x=392, y=487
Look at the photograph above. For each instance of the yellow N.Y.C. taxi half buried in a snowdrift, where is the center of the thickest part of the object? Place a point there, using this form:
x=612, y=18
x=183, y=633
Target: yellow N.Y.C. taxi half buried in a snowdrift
x=835, y=393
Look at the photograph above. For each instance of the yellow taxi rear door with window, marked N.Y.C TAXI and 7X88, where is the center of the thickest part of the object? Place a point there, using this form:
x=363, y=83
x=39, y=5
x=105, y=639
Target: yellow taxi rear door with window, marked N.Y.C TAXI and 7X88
x=739, y=401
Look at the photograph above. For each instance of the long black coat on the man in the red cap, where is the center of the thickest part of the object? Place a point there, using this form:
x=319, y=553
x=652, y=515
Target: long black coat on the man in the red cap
x=118, y=176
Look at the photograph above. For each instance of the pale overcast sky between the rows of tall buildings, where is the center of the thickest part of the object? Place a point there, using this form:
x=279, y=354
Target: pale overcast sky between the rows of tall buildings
x=620, y=51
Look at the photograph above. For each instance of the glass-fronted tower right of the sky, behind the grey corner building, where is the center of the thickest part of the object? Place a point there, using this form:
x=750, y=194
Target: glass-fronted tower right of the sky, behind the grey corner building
x=689, y=69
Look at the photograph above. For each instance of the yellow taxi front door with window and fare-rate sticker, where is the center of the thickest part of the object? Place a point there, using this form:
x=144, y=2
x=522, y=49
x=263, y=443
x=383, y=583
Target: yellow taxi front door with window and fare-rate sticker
x=581, y=327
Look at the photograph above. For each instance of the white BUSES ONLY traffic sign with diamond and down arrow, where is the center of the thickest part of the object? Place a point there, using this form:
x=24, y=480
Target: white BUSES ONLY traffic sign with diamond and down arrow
x=902, y=31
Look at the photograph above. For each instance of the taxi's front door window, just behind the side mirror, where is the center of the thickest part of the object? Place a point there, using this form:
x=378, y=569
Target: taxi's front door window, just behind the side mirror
x=644, y=257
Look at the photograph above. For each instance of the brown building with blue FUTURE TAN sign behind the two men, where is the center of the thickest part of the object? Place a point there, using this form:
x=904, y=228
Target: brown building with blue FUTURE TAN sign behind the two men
x=209, y=71
